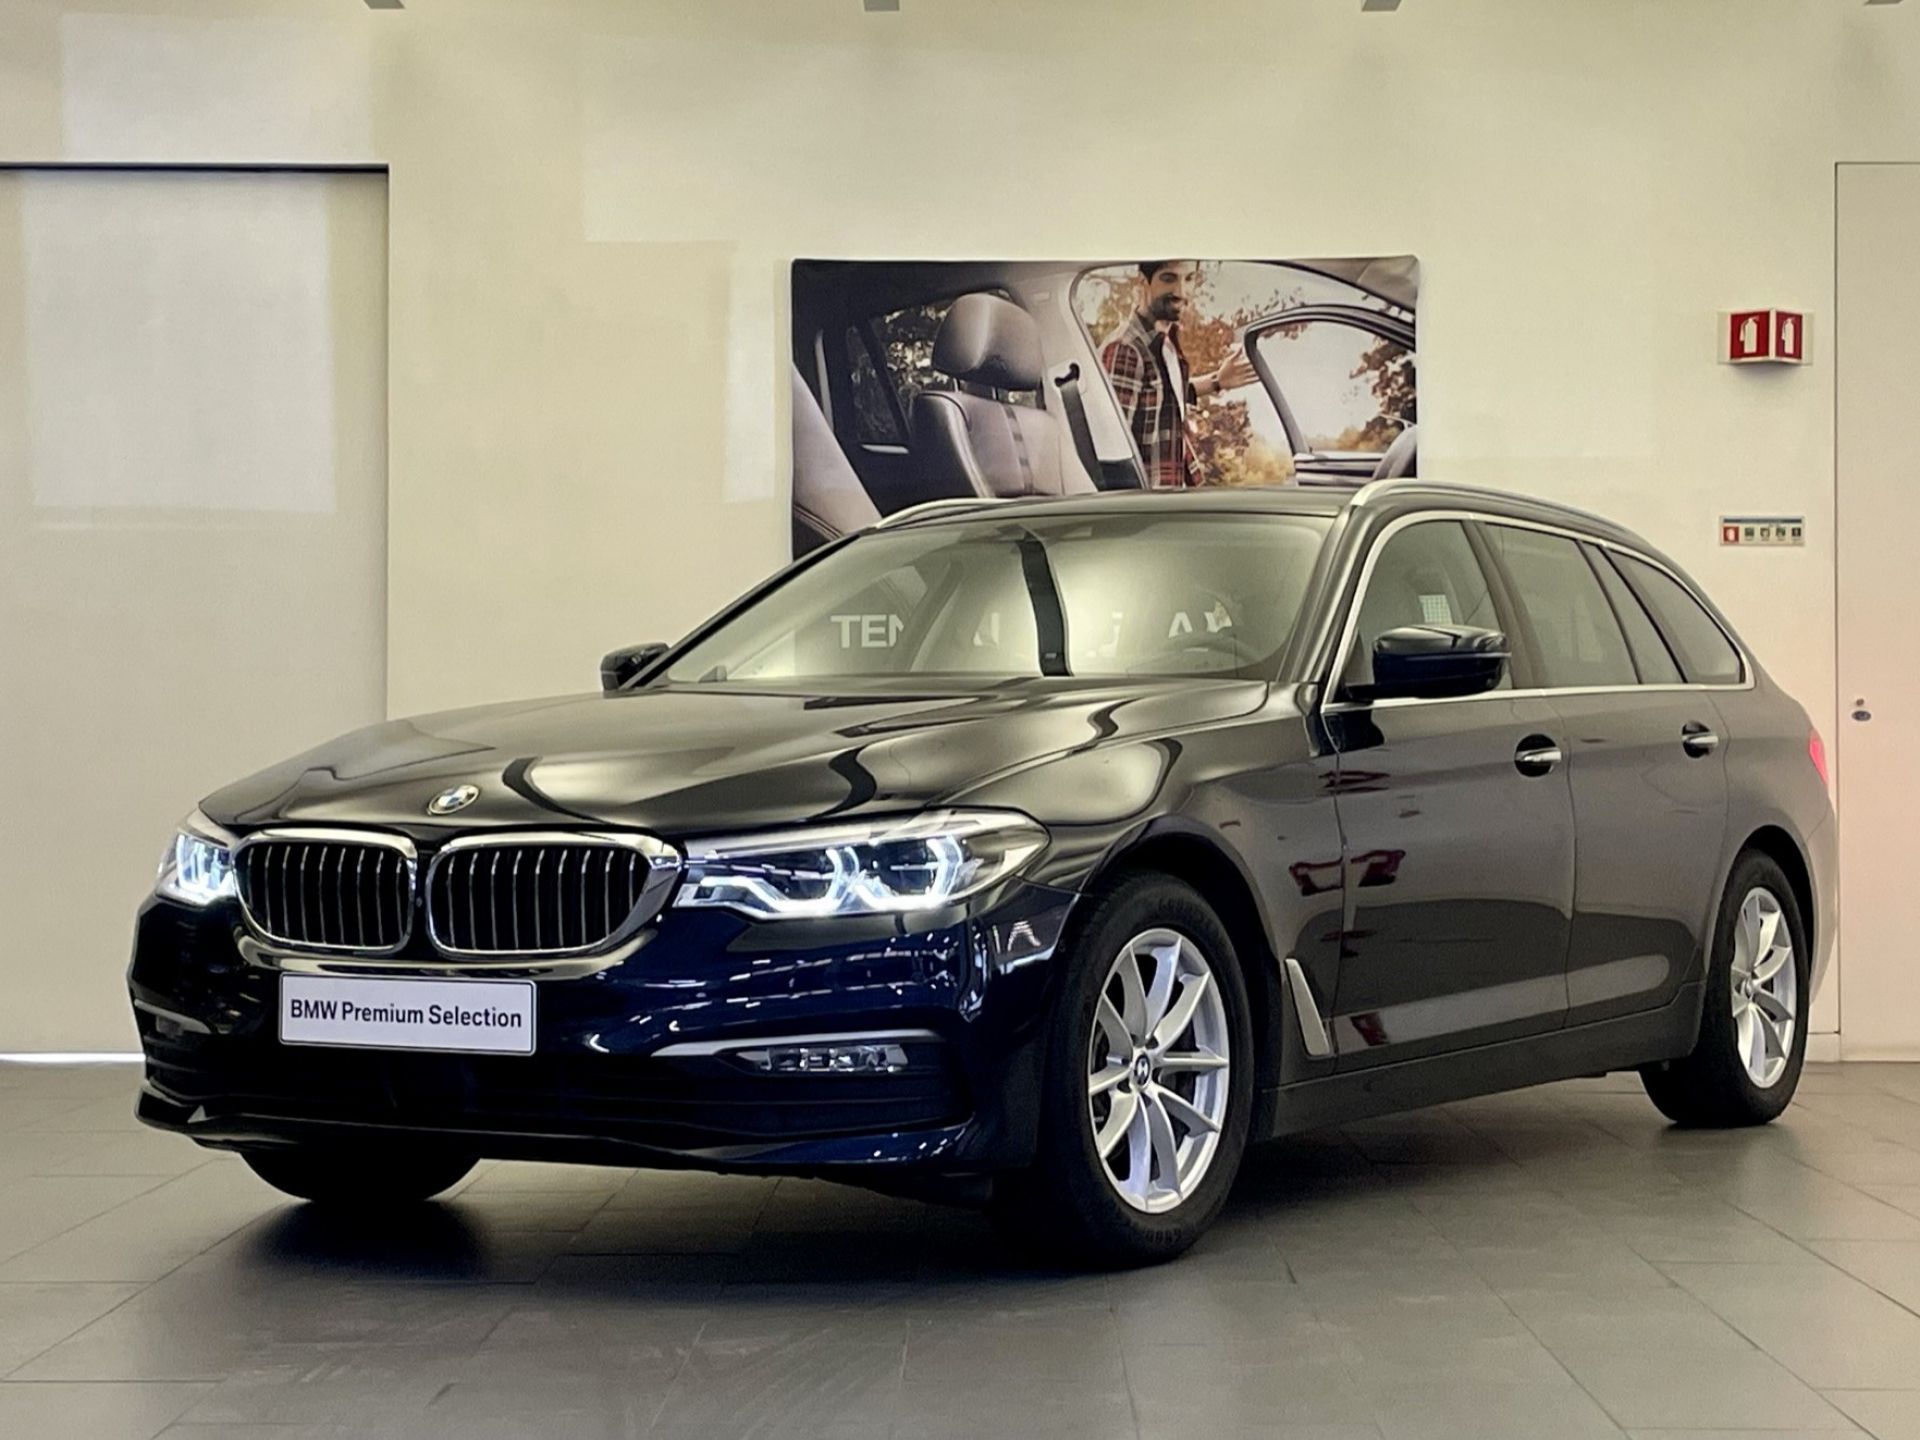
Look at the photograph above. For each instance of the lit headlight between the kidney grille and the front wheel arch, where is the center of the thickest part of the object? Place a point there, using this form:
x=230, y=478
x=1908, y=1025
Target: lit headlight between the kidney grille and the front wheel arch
x=859, y=871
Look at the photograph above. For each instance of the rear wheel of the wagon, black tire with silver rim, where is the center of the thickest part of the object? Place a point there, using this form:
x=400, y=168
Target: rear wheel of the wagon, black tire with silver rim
x=1740, y=1074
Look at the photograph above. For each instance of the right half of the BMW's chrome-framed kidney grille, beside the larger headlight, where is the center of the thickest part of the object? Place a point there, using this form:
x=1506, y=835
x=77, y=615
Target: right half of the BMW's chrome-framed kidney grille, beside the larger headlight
x=548, y=894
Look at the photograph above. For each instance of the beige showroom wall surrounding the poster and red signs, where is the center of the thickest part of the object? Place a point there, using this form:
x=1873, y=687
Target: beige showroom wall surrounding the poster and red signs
x=592, y=208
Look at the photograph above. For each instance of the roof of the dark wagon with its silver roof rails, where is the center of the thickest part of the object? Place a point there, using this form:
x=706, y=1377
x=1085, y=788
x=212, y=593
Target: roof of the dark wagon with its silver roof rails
x=1385, y=498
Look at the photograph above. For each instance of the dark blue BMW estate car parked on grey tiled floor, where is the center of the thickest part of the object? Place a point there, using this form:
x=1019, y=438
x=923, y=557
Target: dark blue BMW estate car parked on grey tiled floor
x=1040, y=853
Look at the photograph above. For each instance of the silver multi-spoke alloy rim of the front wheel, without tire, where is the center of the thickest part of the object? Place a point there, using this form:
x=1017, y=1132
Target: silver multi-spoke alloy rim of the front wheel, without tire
x=1159, y=1070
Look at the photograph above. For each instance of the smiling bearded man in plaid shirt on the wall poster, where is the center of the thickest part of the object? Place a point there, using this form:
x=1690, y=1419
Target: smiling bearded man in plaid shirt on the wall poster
x=1153, y=381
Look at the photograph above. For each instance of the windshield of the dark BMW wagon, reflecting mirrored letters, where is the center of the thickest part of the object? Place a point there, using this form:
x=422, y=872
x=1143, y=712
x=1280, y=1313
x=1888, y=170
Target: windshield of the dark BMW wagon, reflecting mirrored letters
x=1044, y=596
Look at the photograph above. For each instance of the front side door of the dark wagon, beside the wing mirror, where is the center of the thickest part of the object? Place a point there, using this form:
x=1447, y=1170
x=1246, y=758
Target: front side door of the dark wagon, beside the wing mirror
x=1456, y=823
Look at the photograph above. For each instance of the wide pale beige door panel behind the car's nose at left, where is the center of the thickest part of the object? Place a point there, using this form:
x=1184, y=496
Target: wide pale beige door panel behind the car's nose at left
x=193, y=535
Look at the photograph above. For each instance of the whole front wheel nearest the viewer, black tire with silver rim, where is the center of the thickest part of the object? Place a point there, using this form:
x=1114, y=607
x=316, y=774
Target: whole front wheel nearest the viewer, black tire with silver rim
x=1109, y=1212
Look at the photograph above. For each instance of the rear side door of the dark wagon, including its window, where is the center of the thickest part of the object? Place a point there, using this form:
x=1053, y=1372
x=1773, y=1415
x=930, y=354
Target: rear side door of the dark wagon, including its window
x=1644, y=763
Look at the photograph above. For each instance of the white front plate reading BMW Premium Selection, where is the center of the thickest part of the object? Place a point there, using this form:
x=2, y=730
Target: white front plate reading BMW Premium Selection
x=479, y=1017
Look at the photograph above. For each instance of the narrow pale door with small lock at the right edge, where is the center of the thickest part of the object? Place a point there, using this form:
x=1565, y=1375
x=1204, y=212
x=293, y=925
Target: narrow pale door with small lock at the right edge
x=1877, y=352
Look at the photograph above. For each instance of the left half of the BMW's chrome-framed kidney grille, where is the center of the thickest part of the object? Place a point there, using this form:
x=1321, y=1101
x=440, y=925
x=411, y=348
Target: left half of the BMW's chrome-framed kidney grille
x=329, y=892
